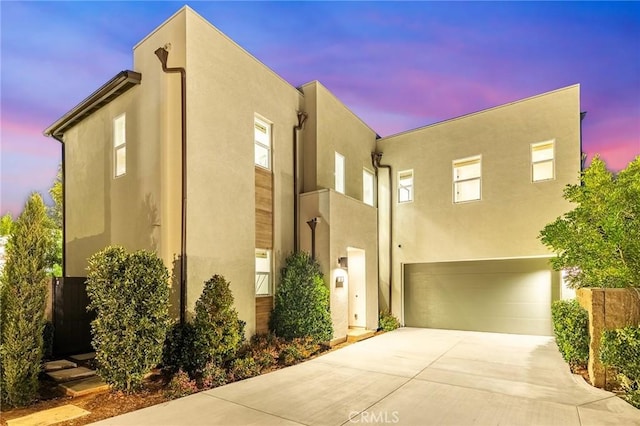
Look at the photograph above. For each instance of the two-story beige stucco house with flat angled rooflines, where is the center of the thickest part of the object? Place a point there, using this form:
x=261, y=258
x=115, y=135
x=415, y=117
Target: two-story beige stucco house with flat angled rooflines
x=206, y=156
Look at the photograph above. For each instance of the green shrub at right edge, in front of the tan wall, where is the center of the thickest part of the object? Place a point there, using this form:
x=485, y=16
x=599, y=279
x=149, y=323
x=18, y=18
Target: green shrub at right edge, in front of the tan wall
x=620, y=349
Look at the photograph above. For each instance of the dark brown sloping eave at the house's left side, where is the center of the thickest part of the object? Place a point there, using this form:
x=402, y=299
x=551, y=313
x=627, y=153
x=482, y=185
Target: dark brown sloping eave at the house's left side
x=113, y=88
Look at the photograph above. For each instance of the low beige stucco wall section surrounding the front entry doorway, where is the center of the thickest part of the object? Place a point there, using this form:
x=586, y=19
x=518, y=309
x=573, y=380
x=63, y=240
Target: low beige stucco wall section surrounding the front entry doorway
x=344, y=223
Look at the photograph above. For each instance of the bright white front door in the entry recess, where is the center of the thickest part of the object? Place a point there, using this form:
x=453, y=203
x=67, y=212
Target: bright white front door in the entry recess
x=357, y=285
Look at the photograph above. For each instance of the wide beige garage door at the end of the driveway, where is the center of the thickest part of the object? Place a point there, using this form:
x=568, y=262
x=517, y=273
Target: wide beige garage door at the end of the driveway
x=503, y=296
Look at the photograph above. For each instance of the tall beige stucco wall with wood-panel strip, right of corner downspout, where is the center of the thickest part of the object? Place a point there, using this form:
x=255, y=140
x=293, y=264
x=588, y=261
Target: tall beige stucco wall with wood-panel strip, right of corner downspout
x=226, y=88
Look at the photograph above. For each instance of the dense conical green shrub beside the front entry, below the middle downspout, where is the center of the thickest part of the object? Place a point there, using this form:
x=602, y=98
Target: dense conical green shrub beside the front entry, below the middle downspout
x=302, y=301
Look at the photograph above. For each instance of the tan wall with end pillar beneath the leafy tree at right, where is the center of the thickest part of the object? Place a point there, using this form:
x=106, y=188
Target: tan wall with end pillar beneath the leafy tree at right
x=608, y=308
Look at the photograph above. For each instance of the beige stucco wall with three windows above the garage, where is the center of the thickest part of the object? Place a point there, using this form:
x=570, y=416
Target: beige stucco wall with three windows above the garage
x=505, y=223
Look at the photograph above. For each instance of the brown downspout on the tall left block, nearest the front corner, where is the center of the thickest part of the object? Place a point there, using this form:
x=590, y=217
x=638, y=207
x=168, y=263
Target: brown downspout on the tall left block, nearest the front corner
x=162, y=53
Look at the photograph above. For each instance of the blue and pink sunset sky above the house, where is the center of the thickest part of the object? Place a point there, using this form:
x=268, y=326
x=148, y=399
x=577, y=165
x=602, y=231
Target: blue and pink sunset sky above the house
x=397, y=65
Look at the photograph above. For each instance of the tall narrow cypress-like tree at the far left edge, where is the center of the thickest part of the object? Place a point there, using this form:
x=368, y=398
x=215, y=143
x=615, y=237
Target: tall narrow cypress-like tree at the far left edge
x=23, y=295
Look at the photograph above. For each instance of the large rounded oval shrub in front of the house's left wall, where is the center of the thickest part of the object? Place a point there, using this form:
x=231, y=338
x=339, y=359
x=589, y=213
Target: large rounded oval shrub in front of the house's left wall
x=129, y=293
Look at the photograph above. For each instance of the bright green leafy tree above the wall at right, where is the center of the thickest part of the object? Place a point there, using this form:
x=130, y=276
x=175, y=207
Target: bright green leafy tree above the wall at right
x=598, y=242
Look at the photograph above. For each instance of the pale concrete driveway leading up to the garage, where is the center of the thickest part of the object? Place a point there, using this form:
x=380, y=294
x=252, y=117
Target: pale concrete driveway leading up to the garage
x=409, y=377
